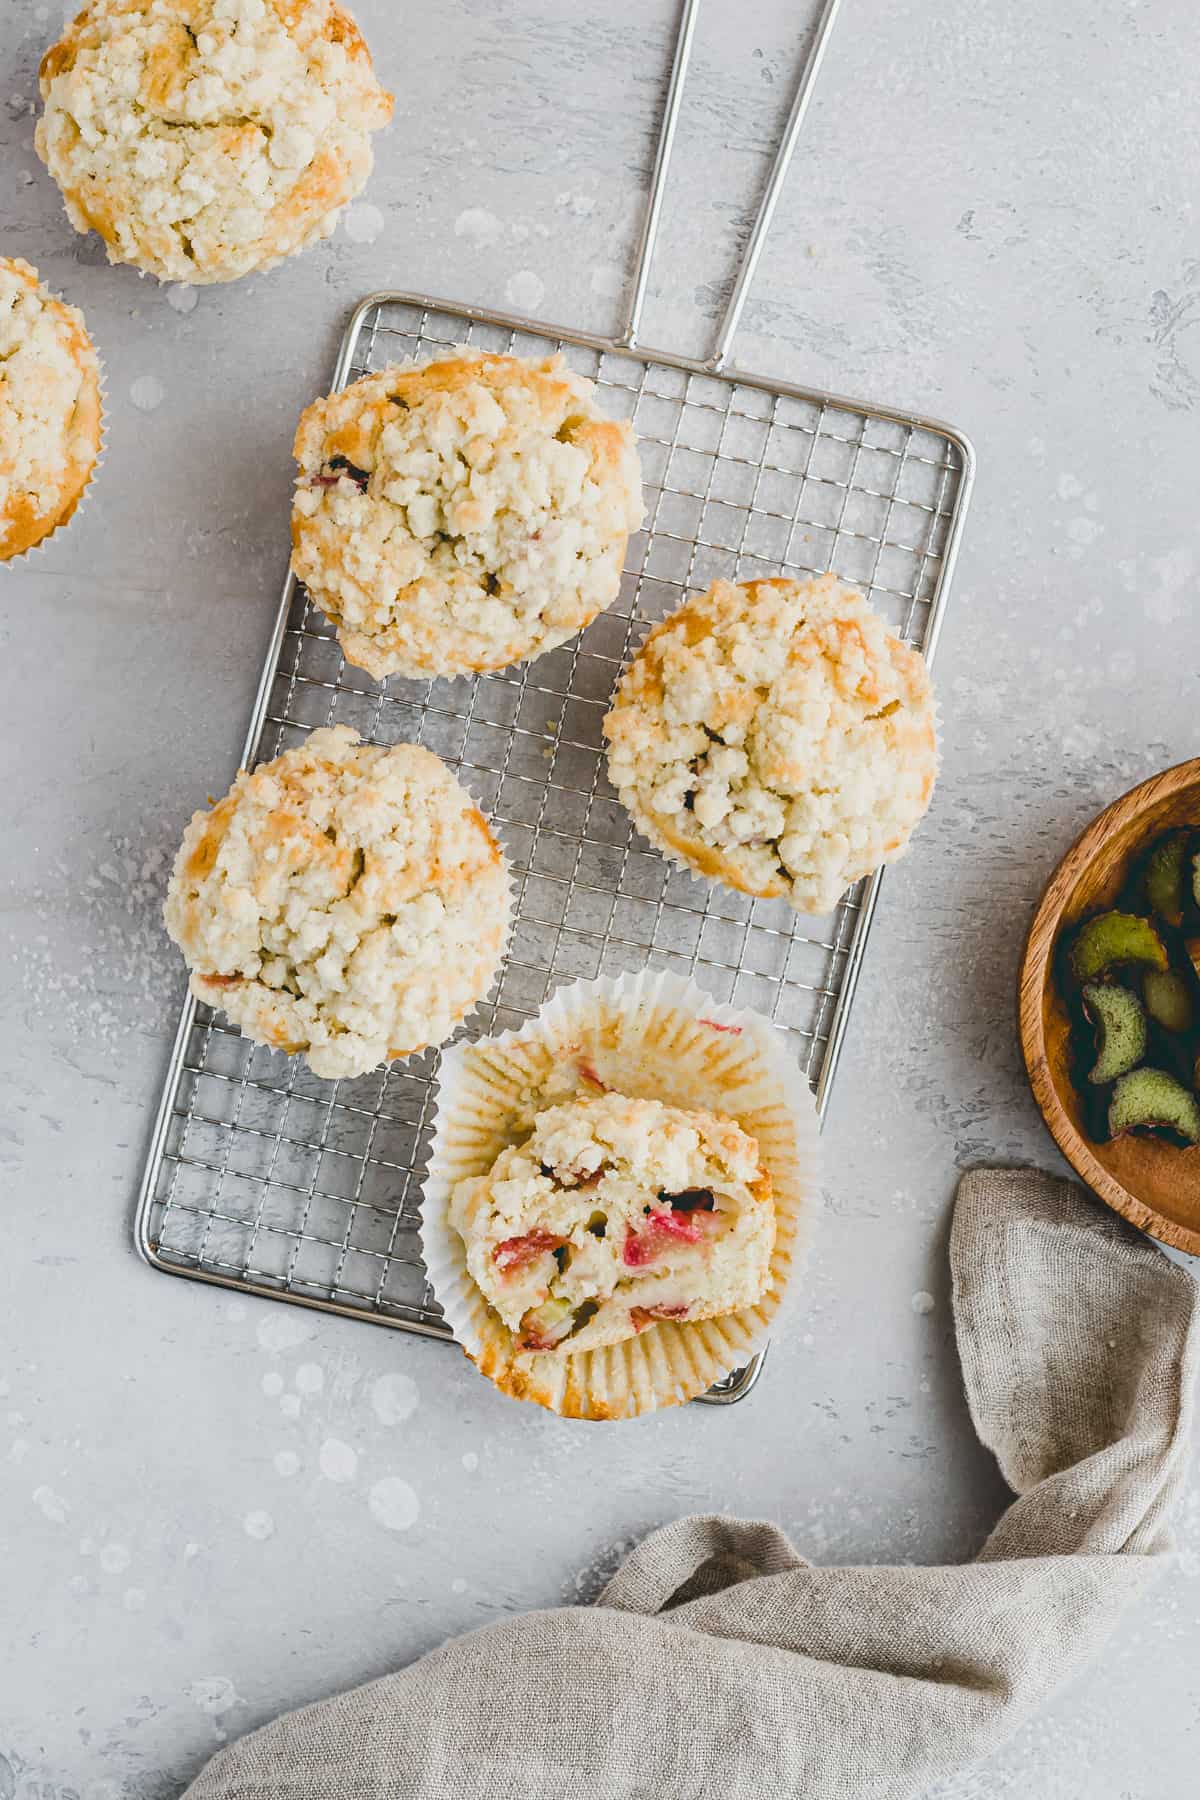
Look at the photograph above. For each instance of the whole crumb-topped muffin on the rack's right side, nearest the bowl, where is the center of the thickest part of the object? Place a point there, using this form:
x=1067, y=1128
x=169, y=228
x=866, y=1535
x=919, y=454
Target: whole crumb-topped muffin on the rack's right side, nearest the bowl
x=778, y=739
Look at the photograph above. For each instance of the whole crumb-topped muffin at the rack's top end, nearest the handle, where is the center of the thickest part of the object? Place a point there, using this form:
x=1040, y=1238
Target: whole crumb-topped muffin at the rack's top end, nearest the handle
x=461, y=514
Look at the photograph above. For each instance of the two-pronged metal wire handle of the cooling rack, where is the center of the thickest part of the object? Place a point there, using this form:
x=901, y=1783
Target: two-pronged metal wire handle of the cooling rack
x=771, y=193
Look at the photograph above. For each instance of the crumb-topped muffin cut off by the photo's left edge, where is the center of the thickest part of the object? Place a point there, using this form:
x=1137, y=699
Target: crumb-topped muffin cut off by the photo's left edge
x=49, y=409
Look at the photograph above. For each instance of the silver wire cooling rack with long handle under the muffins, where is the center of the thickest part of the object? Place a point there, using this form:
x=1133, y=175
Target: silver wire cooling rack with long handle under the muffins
x=267, y=1180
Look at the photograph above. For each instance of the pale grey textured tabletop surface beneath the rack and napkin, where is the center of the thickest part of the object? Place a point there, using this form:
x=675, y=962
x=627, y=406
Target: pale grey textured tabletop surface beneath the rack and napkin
x=992, y=219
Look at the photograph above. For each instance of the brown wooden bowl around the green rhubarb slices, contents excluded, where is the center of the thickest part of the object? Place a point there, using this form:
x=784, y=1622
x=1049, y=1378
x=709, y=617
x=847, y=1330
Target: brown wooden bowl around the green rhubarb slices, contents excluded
x=1152, y=1183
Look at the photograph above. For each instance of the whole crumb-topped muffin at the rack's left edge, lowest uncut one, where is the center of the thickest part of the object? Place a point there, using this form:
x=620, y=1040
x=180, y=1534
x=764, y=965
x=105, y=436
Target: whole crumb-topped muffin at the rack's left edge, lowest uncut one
x=346, y=903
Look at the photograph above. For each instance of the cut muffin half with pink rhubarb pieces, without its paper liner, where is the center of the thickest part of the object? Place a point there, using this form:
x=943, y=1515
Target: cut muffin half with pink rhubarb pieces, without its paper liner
x=614, y=1216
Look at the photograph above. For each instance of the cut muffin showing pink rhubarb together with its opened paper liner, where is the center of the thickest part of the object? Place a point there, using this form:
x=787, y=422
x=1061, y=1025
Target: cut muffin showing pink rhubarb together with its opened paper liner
x=618, y=1196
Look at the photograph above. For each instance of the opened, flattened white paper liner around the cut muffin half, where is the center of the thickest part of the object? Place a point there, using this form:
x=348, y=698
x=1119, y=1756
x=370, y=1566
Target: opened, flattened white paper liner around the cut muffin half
x=650, y=1036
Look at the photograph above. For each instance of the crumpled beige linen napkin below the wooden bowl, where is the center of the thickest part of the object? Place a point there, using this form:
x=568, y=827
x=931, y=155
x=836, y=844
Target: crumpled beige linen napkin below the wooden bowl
x=721, y=1666
